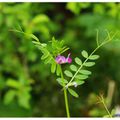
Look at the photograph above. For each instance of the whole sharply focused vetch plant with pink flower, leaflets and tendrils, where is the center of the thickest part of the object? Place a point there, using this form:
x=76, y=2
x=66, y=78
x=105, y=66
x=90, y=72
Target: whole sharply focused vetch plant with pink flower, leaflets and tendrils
x=77, y=73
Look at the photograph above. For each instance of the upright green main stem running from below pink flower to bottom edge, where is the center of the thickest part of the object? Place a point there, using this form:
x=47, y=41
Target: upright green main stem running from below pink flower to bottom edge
x=65, y=97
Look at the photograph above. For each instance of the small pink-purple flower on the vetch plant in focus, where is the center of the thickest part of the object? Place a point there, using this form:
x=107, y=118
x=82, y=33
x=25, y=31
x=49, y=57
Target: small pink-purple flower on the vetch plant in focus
x=61, y=59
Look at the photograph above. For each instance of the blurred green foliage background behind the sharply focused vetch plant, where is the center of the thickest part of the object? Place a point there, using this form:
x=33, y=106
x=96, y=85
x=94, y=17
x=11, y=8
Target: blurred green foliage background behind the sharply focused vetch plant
x=27, y=88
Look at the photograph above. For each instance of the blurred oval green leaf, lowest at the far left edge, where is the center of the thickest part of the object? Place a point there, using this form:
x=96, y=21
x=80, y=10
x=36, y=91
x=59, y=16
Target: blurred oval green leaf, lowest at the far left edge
x=9, y=96
